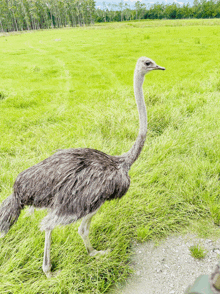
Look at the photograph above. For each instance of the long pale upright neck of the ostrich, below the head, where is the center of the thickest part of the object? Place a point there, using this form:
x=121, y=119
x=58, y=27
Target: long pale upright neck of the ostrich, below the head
x=135, y=150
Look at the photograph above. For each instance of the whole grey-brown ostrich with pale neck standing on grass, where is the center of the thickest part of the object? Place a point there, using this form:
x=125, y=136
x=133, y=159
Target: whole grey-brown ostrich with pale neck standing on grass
x=74, y=183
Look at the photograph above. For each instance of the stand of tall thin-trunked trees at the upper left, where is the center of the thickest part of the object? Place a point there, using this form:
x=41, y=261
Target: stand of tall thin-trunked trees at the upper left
x=18, y=15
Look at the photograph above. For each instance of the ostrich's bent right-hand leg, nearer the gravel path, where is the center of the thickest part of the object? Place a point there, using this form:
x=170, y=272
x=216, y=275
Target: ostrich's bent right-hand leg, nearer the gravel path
x=84, y=233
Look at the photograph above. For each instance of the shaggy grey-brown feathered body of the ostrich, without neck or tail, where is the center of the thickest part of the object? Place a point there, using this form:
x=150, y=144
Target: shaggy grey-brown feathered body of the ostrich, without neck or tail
x=71, y=183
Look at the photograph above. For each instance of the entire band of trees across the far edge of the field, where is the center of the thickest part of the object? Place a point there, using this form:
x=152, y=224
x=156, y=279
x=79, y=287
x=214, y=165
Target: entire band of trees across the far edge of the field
x=17, y=15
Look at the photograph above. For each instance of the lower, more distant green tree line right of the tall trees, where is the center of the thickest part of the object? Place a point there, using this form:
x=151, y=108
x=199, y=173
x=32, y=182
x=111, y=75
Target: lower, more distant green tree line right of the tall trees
x=122, y=11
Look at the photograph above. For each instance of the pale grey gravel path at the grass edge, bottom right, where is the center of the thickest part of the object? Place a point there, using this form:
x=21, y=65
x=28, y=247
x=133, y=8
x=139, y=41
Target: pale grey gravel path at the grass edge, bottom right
x=169, y=268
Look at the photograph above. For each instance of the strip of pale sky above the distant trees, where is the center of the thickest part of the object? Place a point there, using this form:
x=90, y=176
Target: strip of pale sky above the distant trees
x=147, y=2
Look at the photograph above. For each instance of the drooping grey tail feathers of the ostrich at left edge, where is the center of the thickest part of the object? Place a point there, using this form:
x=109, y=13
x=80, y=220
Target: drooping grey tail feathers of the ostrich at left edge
x=9, y=213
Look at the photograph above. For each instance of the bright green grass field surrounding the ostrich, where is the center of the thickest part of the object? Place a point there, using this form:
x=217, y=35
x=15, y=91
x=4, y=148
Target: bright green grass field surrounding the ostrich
x=74, y=88
